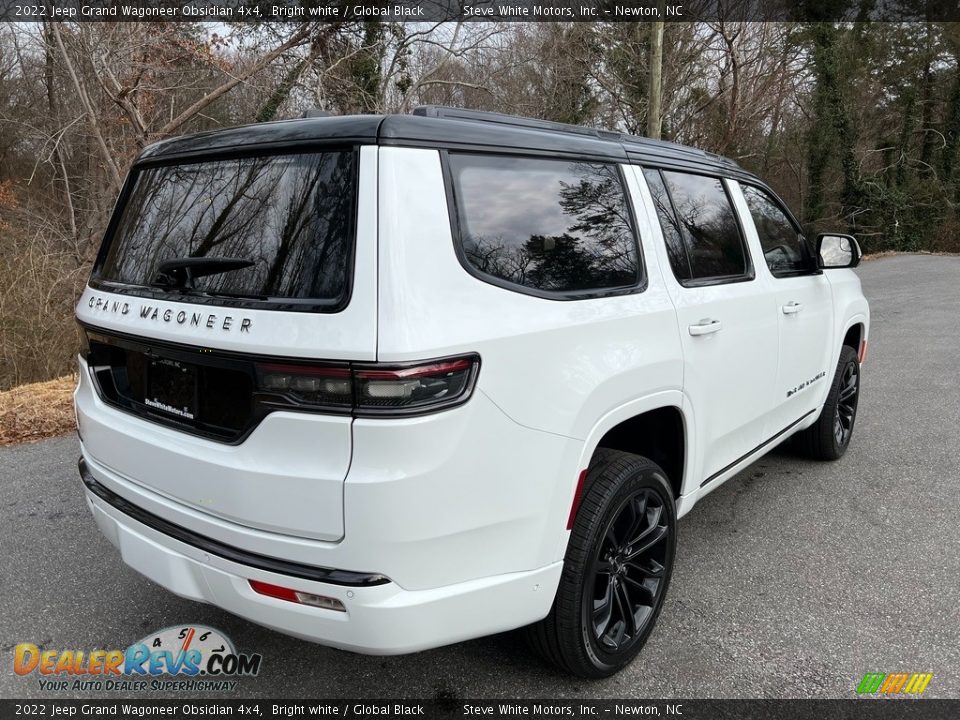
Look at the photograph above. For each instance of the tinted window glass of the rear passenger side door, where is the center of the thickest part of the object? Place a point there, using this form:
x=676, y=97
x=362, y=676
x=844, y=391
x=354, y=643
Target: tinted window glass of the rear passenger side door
x=705, y=218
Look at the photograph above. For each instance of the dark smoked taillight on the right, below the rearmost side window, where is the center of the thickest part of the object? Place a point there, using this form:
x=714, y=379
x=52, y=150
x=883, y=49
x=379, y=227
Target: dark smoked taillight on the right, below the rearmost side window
x=374, y=389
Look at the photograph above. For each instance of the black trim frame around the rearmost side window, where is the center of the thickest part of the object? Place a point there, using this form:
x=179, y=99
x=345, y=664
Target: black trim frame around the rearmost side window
x=453, y=213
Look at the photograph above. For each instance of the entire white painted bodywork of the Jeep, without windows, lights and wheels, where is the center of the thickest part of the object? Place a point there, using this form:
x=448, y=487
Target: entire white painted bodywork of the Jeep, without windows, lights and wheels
x=464, y=510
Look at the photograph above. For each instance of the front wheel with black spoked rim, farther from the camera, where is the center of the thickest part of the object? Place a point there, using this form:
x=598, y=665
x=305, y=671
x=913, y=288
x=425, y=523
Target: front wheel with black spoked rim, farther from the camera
x=829, y=437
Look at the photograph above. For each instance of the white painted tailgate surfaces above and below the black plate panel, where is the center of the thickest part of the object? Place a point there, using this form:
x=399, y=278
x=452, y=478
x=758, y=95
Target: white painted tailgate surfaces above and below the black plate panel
x=287, y=476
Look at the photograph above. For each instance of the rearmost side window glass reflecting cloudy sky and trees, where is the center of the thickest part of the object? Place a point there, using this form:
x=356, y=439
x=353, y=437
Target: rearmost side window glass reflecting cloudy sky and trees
x=552, y=227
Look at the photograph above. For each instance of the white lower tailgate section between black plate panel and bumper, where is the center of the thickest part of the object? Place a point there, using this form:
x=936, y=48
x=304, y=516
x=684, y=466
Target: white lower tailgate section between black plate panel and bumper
x=286, y=477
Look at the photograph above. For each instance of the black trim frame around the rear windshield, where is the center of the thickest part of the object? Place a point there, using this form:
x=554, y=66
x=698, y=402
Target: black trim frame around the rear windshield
x=315, y=305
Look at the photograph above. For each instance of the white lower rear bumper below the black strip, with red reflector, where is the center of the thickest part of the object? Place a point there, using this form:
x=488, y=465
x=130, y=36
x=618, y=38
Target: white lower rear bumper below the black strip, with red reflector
x=380, y=619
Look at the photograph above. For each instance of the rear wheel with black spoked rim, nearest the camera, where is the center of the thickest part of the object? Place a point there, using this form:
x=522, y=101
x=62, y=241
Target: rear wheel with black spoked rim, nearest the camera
x=627, y=500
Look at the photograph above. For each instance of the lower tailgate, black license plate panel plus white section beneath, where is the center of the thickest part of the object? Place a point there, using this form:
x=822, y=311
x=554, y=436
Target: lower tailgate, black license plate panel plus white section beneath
x=210, y=442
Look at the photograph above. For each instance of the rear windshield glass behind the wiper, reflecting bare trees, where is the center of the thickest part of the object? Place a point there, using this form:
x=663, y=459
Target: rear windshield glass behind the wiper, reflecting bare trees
x=292, y=216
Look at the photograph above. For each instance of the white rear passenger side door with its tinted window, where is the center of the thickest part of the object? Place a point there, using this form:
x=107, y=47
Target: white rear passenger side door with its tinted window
x=727, y=318
